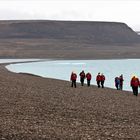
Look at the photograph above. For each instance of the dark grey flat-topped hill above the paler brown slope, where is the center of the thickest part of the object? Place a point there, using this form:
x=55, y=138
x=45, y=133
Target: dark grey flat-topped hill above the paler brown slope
x=80, y=31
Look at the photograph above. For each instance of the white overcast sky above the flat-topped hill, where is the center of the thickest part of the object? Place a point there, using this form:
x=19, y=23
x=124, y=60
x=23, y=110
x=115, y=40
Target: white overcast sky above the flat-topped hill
x=126, y=11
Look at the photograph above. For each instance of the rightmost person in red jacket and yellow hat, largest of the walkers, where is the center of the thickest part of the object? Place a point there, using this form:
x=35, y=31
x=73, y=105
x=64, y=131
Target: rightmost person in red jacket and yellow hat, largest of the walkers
x=135, y=83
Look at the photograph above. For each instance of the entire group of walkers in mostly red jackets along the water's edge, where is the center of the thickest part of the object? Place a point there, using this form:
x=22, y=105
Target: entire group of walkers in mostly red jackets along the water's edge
x=100, y=79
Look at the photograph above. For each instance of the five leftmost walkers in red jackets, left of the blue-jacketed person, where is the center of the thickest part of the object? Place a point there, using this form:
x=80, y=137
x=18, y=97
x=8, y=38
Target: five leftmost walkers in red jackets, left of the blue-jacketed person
x=100, y=78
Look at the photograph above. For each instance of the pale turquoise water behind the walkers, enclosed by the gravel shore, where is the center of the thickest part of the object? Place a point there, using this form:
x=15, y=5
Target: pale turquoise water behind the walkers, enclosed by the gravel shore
x=61, y=69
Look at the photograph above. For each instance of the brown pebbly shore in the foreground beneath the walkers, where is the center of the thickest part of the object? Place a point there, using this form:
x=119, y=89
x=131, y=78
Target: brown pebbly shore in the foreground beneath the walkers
x=35, y=108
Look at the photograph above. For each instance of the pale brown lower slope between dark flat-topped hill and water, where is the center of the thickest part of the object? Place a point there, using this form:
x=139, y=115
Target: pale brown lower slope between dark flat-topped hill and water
x=36, y=48
